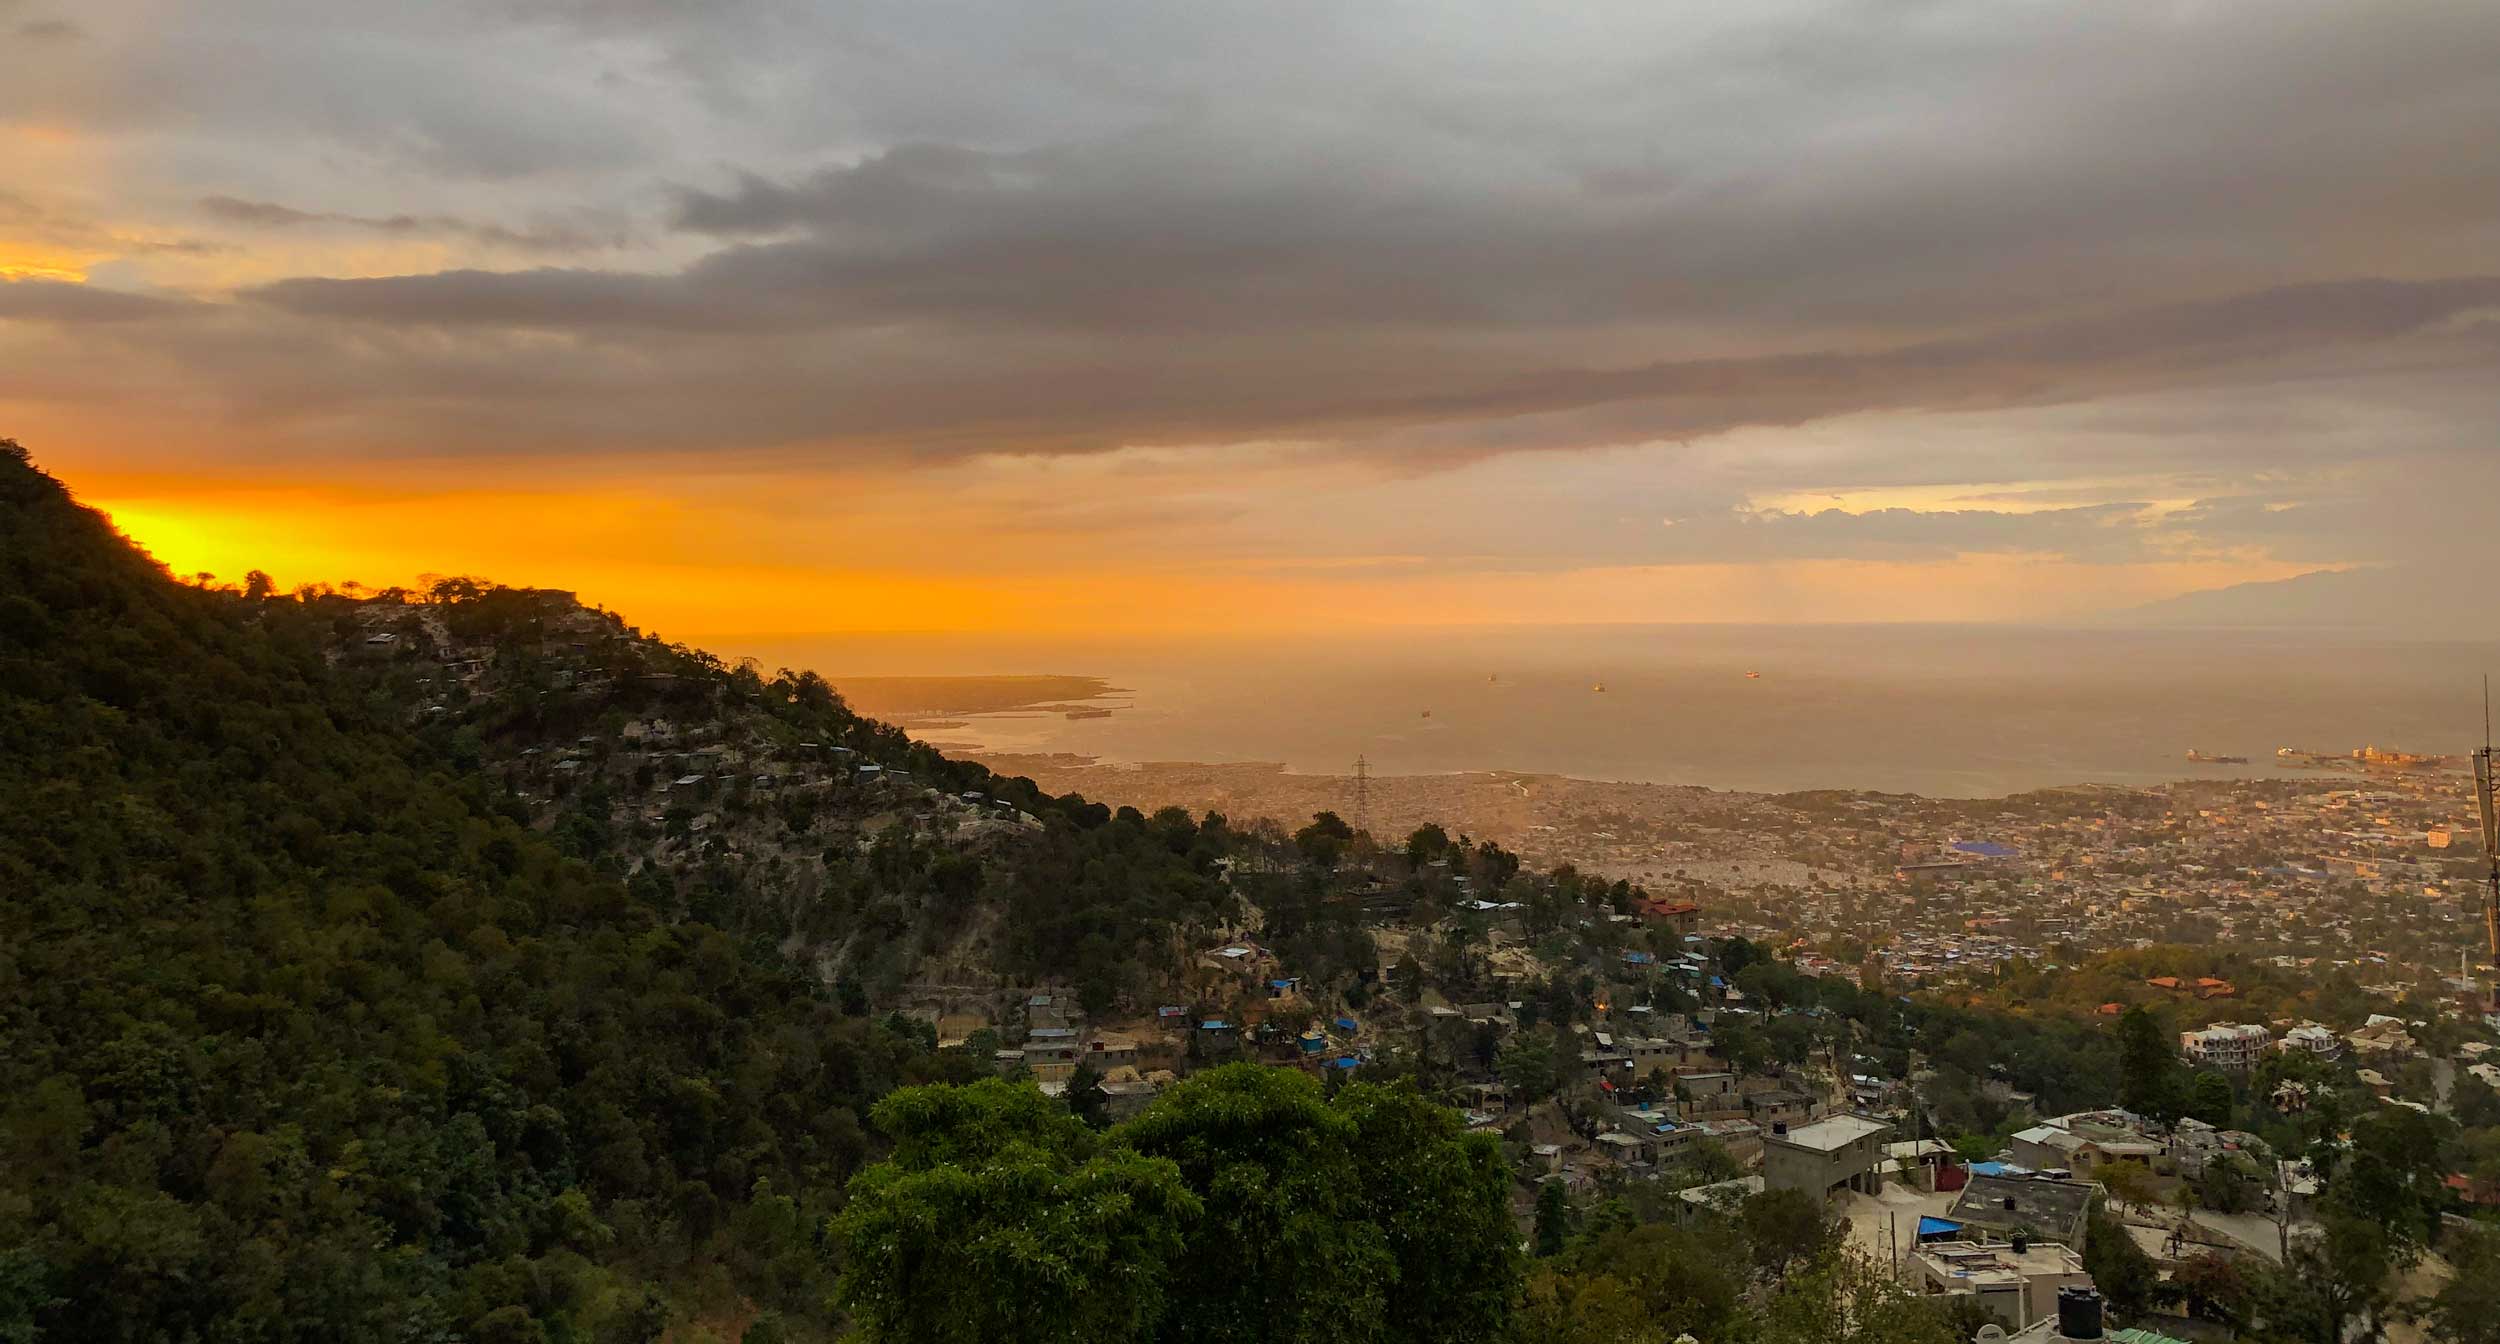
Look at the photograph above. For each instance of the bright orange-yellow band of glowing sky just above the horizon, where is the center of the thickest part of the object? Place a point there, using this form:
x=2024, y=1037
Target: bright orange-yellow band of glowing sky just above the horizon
x=709, y=571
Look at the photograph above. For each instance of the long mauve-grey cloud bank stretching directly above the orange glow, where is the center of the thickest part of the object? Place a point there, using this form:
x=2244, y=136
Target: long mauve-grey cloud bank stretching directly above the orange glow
x=776, y=361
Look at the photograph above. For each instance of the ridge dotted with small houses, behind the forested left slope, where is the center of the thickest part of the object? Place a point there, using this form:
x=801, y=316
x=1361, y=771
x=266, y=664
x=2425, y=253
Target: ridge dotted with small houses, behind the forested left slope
x=774, y=811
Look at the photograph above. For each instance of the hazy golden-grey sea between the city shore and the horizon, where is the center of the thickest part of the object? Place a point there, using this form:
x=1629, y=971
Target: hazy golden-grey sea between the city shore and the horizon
x=1944, y=711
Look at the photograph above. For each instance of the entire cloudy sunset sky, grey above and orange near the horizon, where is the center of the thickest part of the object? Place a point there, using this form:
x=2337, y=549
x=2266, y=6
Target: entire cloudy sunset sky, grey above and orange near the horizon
x=1201, y=316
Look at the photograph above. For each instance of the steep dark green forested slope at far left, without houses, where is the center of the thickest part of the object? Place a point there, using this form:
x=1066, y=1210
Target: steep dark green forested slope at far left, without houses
x=311, y=1038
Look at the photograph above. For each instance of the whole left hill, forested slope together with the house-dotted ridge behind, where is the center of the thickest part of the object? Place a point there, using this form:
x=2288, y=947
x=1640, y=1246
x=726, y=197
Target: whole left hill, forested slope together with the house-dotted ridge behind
x=314, y=1030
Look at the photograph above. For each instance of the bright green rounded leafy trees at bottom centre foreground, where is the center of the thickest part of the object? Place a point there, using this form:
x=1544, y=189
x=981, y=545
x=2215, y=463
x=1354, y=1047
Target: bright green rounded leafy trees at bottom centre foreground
x=1241, y=1205
